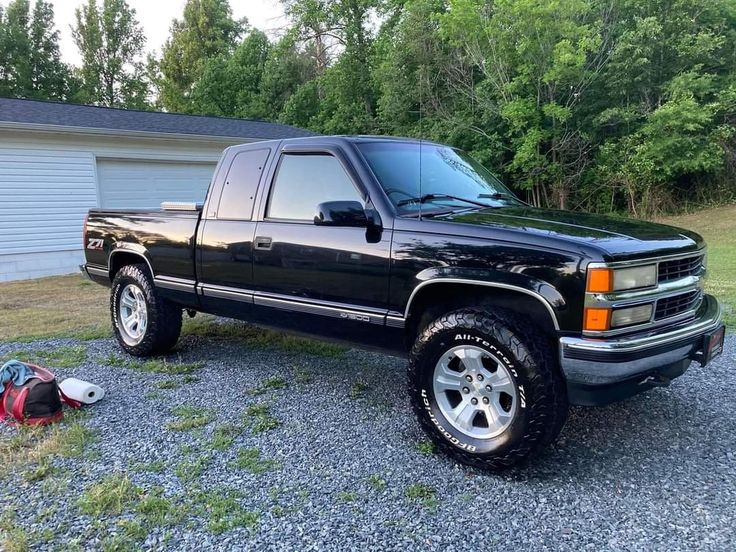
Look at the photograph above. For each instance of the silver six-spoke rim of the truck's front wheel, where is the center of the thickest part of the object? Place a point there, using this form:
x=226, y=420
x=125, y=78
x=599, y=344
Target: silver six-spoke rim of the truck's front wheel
x=475, y=392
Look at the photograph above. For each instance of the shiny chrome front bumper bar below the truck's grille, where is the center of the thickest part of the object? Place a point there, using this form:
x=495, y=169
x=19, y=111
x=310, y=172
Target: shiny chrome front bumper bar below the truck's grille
x=709, y=320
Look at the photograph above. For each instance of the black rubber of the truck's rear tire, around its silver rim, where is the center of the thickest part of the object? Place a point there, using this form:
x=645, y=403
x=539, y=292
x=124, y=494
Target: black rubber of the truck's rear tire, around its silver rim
x=164, y=318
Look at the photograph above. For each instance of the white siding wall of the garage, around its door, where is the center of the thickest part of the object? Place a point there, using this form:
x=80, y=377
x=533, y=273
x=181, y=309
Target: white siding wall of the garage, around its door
x=48, y=181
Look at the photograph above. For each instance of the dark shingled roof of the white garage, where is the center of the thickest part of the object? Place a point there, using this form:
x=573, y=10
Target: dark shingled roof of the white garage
x=57, y=114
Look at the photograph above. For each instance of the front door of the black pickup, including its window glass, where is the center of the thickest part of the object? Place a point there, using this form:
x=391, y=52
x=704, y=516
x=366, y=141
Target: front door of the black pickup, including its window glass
x=329, y=273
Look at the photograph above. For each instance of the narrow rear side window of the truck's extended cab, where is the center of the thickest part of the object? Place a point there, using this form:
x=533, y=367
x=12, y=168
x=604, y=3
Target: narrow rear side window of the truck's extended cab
x=241, y=184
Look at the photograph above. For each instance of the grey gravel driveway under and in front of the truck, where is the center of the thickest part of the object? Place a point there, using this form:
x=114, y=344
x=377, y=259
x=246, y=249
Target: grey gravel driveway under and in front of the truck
x=656, y=472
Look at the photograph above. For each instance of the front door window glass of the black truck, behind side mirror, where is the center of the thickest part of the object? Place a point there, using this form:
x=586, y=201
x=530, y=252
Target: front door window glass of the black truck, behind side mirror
x=304, y=181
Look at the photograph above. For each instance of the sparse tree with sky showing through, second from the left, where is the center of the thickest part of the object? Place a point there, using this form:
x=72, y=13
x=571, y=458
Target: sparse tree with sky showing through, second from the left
x=111, y=43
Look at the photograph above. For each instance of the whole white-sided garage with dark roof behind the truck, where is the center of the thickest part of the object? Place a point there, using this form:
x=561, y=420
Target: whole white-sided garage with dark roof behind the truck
x=59, y=160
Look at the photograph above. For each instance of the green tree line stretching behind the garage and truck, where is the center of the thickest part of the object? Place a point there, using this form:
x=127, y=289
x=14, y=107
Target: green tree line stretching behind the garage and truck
x=609, y=106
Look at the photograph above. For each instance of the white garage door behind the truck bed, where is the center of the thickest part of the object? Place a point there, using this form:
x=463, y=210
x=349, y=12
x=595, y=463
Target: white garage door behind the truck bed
x=134, y=184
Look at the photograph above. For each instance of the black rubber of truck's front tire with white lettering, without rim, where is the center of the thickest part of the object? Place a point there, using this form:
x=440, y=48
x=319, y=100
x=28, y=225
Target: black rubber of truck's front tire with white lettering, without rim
x=529, y=358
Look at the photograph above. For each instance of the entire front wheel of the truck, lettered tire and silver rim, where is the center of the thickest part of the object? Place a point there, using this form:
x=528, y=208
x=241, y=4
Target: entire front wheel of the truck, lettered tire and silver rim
x=486, y=388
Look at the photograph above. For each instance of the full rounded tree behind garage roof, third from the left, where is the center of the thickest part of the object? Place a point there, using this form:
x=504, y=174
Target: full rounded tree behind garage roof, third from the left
x=207, y=31
